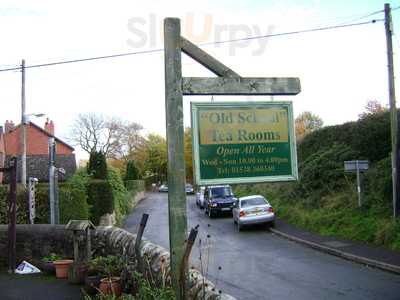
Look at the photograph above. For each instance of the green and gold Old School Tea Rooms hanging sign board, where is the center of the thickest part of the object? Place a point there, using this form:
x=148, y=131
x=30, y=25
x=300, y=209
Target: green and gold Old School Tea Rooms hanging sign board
x=243, y=142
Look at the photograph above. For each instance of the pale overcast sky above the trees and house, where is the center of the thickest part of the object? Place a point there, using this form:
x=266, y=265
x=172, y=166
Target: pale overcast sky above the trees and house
x=340, y=70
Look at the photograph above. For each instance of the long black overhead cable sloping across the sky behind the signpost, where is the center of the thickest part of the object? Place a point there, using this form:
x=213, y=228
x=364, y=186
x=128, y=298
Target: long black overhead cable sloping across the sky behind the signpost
x=204, y=44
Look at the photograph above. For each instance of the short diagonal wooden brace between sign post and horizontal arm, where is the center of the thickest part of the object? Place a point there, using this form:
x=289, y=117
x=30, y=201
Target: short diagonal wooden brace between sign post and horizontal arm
x=206, y=60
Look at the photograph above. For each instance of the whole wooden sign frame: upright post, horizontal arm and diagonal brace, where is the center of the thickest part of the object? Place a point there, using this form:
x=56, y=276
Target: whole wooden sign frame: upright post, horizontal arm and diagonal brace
x=228, y=83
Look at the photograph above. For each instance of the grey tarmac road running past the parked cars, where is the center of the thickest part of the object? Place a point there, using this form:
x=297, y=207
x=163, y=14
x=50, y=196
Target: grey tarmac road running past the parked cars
x=256, y=264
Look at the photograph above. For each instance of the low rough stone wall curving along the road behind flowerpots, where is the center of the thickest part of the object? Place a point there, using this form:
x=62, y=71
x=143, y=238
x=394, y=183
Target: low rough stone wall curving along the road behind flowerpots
x=36, y=241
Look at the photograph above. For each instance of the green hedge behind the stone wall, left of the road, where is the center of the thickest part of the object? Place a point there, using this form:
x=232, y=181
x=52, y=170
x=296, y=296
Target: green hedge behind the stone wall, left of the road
x=80, y=198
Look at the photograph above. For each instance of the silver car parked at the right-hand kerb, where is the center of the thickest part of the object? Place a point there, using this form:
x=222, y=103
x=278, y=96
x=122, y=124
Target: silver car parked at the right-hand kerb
x=253, y=210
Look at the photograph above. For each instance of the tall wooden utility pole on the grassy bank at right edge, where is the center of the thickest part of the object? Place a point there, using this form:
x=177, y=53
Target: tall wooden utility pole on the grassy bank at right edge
x=393, y=112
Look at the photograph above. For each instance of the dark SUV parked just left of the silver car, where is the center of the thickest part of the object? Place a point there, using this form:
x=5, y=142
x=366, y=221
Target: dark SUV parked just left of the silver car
x=217, y=199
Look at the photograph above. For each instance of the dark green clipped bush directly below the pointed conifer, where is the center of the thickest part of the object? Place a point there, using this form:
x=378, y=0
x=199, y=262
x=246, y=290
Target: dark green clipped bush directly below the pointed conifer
x=100, y=198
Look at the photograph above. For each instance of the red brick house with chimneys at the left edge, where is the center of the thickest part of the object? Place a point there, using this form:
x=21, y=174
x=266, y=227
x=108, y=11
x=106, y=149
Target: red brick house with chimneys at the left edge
x=37, y=150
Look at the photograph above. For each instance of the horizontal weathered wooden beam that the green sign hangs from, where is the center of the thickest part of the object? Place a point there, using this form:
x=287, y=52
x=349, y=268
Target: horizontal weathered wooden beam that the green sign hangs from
x=240, y=86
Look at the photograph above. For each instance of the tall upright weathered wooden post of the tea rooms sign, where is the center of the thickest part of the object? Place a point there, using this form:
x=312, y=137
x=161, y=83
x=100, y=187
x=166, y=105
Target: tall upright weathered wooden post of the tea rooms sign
x=176, y=159
